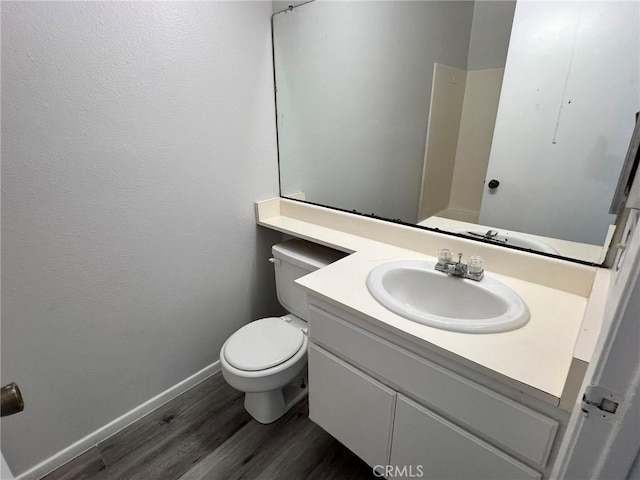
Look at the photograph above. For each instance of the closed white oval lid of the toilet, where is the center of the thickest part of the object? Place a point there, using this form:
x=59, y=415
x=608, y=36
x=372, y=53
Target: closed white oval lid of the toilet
x=263, y=344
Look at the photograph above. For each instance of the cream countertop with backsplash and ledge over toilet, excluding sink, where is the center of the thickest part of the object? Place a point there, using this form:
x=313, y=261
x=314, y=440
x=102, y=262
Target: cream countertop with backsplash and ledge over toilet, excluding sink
x=547, y=357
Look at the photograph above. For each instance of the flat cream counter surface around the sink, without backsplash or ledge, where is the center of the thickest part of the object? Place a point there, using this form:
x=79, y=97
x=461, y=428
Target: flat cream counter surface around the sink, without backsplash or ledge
x=538, y=355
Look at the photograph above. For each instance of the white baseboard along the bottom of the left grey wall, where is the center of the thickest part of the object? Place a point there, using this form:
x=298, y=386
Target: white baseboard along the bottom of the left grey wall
x=111, y=428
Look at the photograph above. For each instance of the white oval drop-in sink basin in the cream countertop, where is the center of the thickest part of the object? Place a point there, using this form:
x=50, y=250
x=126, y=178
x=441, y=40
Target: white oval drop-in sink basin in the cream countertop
x=417, y=292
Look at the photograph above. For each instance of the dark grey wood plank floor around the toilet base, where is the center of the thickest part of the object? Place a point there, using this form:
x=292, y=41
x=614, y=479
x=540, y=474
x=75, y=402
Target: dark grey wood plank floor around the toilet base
x=206, y=434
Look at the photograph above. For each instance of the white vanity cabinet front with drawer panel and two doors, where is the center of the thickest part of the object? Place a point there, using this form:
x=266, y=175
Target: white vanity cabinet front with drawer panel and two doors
x=394, y=407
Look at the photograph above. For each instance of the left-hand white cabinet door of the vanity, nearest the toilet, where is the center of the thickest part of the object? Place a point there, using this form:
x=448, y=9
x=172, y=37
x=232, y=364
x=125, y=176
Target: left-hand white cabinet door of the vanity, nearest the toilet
x=354, y=408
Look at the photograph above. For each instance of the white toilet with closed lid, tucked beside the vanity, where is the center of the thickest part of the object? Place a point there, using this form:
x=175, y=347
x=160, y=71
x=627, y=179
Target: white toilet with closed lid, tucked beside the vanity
x=267, y=358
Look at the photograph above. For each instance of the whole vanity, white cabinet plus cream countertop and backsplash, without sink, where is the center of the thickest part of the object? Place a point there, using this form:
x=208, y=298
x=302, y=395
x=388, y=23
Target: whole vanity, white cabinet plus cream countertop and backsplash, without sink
x=455, y=405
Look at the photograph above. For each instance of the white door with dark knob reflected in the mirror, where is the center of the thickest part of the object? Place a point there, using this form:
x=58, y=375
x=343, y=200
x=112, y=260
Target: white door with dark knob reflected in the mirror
x=560, y=140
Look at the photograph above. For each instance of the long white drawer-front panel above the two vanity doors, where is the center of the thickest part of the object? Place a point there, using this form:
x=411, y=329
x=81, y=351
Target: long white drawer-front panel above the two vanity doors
x=513, y=426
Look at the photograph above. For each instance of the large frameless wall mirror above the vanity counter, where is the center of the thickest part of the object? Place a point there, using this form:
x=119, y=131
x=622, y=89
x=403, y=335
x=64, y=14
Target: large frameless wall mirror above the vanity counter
x=504, y=121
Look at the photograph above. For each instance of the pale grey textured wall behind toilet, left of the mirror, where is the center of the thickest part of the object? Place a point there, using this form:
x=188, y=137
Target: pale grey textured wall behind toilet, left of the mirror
x=135, y=138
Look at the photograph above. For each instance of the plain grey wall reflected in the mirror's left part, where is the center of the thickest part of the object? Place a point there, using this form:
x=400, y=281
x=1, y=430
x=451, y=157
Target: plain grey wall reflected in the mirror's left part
x=354, y=86
